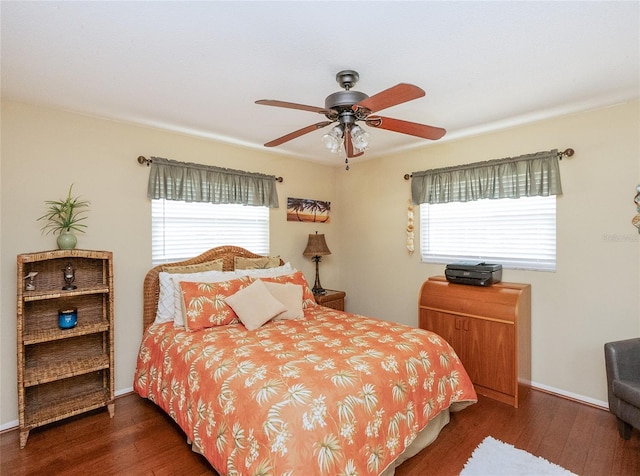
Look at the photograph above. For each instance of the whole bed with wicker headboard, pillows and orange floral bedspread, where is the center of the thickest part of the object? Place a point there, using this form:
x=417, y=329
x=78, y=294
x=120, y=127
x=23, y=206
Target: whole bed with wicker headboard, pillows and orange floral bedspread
x=312, y=390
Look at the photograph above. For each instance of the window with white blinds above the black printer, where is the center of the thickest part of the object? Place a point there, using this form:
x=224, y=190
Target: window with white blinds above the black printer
x=517, y=233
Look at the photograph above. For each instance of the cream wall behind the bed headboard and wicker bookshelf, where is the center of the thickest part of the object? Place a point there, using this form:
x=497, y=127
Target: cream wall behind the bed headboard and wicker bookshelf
x=45, y=150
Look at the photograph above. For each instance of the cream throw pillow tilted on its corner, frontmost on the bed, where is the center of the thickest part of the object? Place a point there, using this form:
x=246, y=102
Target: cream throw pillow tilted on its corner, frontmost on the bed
x=255, y=305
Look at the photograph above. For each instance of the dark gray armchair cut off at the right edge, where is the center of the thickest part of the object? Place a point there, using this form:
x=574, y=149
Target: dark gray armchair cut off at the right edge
x=622, y=359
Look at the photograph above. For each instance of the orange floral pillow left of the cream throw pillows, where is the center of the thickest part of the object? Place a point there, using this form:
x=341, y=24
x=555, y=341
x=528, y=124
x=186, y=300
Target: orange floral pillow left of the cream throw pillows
x=204, y=304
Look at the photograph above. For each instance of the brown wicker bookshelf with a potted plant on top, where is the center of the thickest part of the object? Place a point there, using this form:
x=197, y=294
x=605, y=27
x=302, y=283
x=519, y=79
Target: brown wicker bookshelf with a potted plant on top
x=64, y=372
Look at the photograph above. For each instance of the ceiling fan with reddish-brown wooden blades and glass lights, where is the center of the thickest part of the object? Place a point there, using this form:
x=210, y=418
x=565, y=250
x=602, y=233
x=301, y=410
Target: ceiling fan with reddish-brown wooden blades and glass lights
x=349, y=107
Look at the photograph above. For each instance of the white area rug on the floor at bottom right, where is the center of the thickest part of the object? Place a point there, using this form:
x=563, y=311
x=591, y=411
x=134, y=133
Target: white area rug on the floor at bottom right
x=493, y=457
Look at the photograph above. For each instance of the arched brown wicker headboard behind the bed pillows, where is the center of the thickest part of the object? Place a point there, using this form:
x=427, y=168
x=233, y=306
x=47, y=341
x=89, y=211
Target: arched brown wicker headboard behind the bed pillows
x=152, y=280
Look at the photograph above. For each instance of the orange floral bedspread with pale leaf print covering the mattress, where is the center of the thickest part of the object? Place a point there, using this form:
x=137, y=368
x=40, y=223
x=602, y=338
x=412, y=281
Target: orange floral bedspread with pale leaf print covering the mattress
x=332, y=394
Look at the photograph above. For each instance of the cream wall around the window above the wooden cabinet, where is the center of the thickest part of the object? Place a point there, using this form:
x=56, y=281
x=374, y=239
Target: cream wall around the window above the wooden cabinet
x=593, y=296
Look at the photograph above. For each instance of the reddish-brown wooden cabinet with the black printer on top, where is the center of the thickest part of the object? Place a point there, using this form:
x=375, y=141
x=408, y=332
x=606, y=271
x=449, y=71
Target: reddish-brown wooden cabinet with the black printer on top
x=488, y=327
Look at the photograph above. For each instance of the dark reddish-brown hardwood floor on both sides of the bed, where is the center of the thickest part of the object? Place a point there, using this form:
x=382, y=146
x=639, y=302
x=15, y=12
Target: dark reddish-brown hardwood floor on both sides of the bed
x=142, y=440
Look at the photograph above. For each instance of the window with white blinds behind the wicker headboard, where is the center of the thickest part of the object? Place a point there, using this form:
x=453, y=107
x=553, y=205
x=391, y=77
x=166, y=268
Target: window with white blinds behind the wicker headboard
x=182, y=230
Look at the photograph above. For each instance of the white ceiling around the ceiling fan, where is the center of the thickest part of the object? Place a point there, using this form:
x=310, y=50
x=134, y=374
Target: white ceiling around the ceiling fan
x=198, y=67
